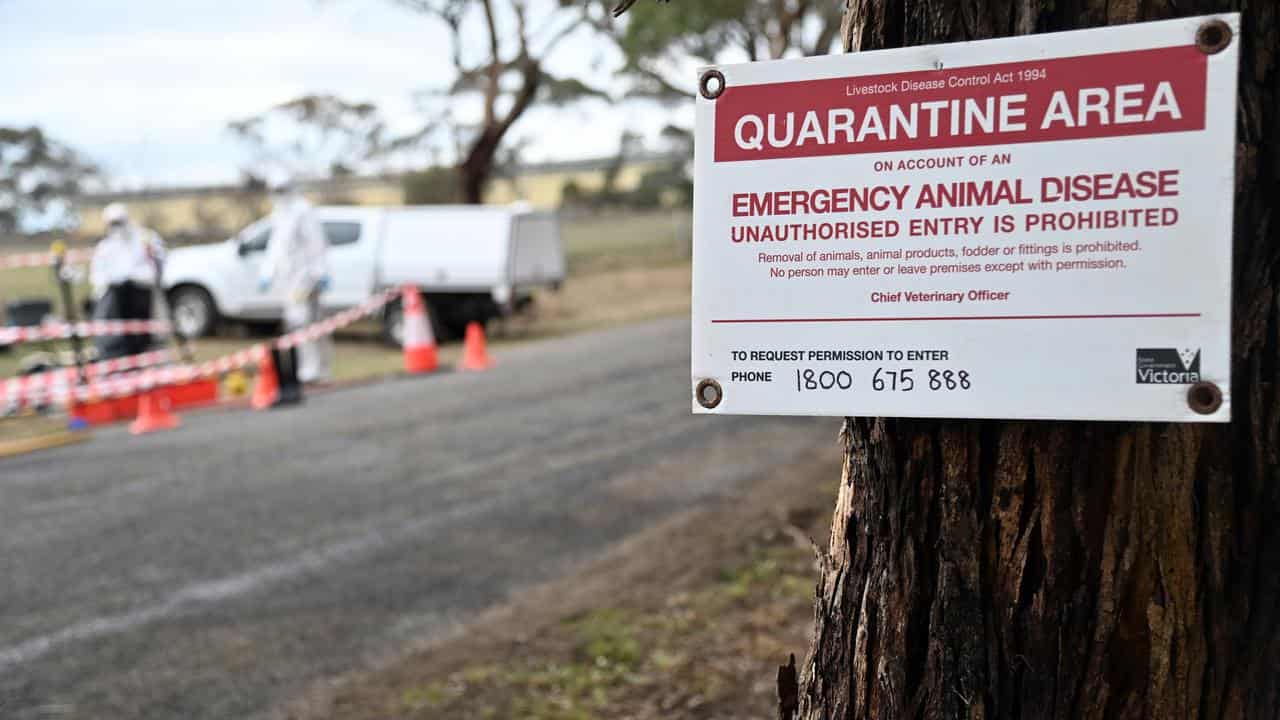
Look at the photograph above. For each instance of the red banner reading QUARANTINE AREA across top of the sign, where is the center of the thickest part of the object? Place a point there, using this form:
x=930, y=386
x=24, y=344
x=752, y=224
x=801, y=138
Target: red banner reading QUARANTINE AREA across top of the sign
x=1107, y=95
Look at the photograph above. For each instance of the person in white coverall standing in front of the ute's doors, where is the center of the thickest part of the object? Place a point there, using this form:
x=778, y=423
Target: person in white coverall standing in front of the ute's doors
x=298, y=266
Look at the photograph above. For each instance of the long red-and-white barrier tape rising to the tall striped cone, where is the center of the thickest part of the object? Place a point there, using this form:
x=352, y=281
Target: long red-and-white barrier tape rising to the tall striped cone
x=122, y=385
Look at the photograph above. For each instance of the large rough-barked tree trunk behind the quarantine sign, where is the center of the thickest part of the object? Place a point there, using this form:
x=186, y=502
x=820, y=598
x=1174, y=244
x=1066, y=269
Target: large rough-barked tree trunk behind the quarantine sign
x=1063, y=571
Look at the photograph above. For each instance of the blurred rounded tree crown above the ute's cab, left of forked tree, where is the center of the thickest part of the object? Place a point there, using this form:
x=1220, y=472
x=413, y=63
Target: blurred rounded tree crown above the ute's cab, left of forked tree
x=314, y=136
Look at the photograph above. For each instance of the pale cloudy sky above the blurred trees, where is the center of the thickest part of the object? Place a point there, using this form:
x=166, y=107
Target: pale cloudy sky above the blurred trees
x=147, y=88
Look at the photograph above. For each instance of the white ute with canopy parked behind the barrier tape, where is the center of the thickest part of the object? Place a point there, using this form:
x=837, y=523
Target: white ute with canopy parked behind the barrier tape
x=472, y=263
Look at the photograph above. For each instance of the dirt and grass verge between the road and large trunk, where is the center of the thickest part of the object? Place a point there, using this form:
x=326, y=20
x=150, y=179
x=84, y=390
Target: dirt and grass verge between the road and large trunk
x=688, y=621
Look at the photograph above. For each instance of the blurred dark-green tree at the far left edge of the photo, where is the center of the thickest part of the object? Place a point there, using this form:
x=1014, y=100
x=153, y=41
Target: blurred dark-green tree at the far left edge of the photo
x=40, y=179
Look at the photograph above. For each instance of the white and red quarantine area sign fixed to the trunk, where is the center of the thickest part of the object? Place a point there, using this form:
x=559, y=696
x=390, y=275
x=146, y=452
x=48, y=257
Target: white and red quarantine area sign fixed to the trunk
x=1035, y=227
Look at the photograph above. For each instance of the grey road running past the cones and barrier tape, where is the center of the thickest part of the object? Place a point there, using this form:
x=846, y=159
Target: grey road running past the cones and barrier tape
x=220, y=569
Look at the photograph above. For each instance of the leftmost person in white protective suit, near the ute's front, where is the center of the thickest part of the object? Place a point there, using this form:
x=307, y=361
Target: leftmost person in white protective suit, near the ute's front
x=122, y=277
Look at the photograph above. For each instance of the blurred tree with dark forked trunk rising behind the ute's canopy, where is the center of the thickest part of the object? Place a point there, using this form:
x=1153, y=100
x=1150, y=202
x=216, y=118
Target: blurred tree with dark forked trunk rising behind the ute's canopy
x=509, y=75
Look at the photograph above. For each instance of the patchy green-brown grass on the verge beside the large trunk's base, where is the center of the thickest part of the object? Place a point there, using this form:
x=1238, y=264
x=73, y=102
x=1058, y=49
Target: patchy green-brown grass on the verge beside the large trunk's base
x=706, y=653
